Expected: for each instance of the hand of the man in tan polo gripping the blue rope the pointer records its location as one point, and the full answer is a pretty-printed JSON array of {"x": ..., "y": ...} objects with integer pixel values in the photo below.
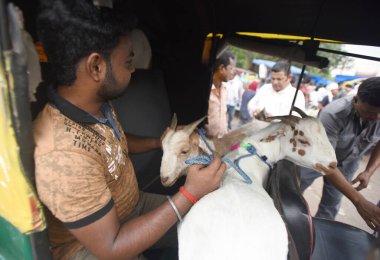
[{"x": 202, "y": 180}]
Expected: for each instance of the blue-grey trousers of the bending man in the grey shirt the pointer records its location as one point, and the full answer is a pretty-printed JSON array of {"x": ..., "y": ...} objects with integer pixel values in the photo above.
[{"x": 331, "y": 197}]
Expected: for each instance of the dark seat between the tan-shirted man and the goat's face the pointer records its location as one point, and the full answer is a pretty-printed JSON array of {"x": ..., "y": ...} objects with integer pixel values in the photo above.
[{"x": 144, "y": 110}]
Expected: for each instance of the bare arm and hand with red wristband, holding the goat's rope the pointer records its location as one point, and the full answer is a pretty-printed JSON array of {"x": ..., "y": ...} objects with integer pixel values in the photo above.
[{"x": 106, "y": 238}]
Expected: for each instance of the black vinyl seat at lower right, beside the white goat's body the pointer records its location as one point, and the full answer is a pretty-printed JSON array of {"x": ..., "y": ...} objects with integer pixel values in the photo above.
[{"x": 313, "y": 238}]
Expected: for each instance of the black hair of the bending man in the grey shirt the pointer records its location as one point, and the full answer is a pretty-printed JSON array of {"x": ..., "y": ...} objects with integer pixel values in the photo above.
[{"x": 369, "y": 91}]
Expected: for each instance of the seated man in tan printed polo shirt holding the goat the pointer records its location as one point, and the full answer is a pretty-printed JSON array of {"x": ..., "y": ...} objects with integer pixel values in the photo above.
[{"x": 84, "y": 176}]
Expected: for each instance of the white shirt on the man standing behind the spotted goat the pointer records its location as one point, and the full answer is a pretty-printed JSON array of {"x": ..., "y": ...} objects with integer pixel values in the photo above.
[{"x": 276, "y": 103}]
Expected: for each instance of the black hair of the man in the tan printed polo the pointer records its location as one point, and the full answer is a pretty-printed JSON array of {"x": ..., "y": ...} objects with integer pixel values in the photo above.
[{"x": 73, "y": 29}]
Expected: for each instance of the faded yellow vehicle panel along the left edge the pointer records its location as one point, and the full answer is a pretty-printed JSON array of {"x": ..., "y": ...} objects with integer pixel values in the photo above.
[{"x": 19, "y": 204}]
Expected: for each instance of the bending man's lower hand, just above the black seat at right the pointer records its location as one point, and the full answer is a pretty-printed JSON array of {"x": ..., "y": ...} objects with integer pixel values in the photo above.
[{"x": 369, "y": 212}]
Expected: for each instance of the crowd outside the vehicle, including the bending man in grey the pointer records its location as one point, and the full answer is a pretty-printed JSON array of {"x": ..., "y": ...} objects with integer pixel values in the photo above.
[{"x": 350, "y": 115}]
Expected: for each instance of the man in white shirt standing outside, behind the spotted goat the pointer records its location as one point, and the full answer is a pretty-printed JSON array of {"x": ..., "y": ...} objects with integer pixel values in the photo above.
[{"x": 276, "y": 98}]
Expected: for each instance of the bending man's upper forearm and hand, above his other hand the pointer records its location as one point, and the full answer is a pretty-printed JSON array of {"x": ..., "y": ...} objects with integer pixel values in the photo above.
[{"x": 372, "y": 166}]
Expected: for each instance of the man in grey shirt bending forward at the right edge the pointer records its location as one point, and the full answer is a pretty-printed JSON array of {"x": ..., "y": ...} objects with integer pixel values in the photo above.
[{"x": 353, "y": 128}]
